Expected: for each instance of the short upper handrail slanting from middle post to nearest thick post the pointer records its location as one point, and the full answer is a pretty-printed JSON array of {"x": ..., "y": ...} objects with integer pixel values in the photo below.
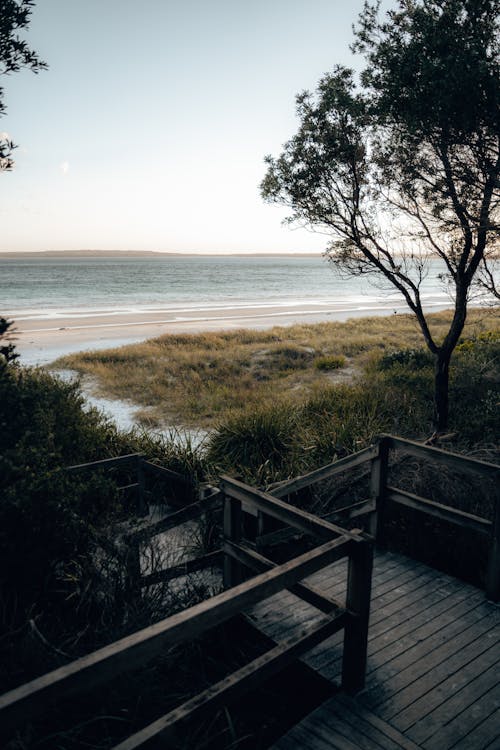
[{"x": 288, "y": 514}]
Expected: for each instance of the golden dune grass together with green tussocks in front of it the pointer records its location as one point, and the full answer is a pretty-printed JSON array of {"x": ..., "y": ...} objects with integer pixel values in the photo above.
[{"x": 299, "y": 396}]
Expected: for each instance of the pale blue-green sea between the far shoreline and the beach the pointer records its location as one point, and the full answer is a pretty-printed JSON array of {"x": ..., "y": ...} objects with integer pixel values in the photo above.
[{"x": 45, "y": 289}]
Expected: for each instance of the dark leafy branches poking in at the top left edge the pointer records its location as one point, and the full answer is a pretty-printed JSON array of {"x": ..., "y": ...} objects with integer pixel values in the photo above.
[{"x": 14, "y": 55}]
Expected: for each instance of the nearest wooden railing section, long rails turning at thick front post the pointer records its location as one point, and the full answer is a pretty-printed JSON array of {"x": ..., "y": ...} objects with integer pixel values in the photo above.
[{"x": 32, "y": 699}]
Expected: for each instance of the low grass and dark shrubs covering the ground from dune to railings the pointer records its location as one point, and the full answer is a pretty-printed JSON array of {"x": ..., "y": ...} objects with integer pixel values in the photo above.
[{"x": 271, "y": 413}]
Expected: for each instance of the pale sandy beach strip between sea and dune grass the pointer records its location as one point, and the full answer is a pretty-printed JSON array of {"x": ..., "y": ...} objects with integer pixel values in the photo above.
[{"x": 40, "y": 342}]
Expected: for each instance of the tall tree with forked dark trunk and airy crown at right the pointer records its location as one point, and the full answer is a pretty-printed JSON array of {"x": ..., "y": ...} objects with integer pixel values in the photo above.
[{"x": 402, "y": 165}]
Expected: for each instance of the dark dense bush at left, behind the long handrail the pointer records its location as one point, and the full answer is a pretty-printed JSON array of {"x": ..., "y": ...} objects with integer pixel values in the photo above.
[{"x": 62, "y": 583}]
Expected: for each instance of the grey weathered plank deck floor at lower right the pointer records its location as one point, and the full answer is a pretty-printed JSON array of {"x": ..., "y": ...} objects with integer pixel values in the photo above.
[{"x": 433, "y": 677}]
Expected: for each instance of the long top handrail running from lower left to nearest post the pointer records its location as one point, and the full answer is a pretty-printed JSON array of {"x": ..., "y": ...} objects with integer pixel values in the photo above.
[{"x": 138, "y": 649}]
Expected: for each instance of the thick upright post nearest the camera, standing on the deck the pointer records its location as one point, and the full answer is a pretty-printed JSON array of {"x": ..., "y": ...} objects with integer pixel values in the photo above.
[{"x": 359, "y": 582}]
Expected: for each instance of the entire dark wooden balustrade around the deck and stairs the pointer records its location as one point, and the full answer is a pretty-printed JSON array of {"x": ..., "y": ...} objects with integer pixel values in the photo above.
[{"x": 30, "y": 700}]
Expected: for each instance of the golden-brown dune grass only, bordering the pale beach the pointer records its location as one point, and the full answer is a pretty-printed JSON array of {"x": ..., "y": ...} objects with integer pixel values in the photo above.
[{"x": 199, "y": 379}]
